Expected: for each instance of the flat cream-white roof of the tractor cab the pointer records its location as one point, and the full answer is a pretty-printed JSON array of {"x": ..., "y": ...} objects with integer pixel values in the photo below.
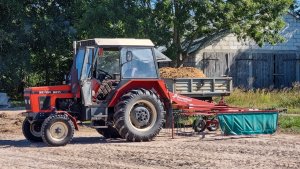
[{"x": 115, "y": 42}]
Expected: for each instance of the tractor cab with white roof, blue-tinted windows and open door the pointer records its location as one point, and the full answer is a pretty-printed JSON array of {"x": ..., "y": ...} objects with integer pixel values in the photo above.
[{"x": 101, "y": 64}]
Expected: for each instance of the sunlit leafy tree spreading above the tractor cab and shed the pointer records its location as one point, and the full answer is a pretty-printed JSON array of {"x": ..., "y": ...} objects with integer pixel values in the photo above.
[{"x": 177, "y": 24}]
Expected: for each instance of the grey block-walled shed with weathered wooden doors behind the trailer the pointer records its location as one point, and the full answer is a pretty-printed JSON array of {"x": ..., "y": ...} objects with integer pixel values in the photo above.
[{"x": 252, "y": 66}]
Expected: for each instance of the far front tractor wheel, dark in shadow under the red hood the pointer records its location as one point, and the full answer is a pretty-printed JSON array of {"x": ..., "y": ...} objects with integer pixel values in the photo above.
[{"x": 32, "y": 131}]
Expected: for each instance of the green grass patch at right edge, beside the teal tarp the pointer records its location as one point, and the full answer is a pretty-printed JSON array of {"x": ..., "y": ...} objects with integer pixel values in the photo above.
[{"x": 289, "y": 124}]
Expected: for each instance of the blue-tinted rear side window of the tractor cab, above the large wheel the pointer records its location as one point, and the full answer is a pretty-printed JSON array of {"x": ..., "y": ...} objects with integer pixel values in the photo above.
[{"x": 140, "y": 63}]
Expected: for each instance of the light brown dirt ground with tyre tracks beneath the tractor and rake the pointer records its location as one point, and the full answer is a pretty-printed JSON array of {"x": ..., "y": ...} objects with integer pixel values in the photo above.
[{"x": 88, "y": 149}]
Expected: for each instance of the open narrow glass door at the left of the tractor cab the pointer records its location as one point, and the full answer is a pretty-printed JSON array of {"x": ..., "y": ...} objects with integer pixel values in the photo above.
[{"x": 85, "y": 76}]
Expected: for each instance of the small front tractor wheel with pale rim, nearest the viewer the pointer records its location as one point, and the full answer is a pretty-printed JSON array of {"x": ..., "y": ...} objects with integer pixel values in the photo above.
[{"x": 57, "y": 130}]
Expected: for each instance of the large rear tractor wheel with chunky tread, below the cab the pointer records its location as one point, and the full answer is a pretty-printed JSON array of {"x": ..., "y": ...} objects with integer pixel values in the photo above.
[{"x": 139, "y": 115}]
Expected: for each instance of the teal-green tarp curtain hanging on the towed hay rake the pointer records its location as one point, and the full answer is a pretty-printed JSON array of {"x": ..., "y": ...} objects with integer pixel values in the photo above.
[{"x": 248, "y": 123}]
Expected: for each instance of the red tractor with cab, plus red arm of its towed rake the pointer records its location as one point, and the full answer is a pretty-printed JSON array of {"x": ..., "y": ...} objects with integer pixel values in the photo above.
[{"x": 114, "y": 84}]
